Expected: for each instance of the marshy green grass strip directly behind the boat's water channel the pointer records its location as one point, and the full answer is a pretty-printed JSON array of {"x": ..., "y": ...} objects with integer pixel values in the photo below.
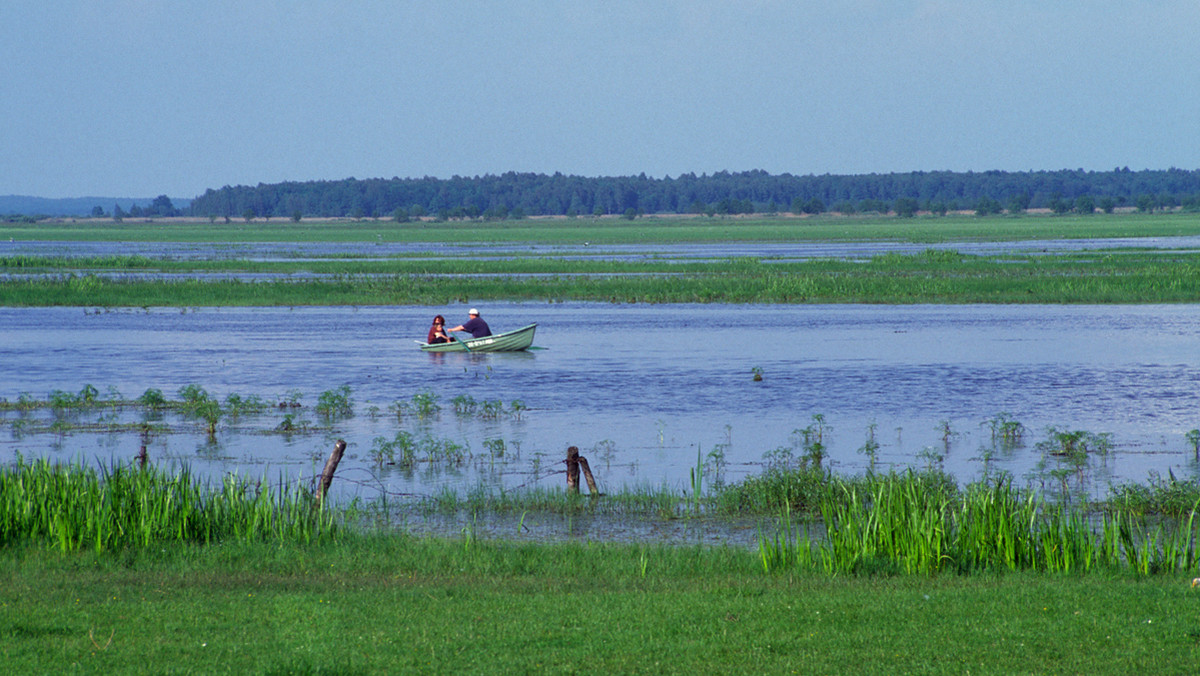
[{"x": 944, "y": 278}]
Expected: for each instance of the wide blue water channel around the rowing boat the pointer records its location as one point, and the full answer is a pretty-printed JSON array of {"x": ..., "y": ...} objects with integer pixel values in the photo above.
[{"x": 641, "y": 390}]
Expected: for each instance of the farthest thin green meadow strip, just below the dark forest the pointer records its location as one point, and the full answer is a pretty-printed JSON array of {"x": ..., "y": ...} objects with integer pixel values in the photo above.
[{"x": 829, "y": 228}]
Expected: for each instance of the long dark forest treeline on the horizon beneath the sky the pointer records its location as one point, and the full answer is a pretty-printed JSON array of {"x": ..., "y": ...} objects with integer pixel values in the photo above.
[{"x": 518, "y": 195}]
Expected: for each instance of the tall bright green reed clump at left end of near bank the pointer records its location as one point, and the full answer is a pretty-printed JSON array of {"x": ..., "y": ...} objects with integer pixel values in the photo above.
[{"x": 75, "y": 509}]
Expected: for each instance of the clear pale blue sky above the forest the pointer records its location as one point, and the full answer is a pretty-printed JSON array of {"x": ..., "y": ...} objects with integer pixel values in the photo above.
[{"x": 146, "y": 98}]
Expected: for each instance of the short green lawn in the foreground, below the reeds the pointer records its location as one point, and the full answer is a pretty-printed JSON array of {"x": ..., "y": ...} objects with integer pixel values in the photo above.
[{"x": 399, "y": 605}]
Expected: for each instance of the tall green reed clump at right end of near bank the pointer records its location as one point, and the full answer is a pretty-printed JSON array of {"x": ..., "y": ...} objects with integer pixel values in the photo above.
[{"x": 904, "y": 524}]
